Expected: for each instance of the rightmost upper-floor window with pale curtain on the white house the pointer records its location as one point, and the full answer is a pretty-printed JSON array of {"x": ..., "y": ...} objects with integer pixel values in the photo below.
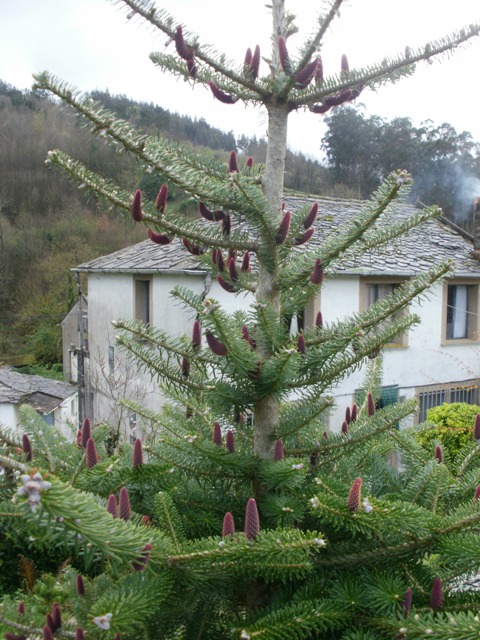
[{"x": 461, "y": 314}]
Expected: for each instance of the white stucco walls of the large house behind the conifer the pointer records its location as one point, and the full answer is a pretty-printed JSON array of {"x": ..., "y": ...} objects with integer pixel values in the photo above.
[{"x": 424, "y": 361}]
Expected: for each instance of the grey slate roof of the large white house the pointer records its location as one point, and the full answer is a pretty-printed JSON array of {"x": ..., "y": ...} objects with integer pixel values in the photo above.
[{"x": 409, "y": 255}]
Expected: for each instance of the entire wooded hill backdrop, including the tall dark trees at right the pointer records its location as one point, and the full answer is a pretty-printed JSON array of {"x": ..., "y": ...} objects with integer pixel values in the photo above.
[{"x": 47, "y": 225}]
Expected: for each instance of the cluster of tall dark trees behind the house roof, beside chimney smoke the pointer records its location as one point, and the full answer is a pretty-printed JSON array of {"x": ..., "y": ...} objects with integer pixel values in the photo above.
[{"x": 362, "y": 150}]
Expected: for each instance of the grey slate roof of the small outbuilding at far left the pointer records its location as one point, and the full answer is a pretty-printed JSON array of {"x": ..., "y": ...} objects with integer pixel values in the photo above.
[{"x": 43, "y": 394}]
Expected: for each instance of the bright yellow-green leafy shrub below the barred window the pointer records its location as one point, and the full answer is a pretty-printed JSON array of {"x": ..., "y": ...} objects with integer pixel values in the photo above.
[{"x": 453, "y": 426}]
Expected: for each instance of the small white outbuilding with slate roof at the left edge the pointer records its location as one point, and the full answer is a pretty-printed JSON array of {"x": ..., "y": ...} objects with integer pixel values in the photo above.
[{"x": 54, "y": 400}]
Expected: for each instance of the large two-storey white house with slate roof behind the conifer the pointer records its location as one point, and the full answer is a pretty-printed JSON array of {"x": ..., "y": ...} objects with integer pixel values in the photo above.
[{"x": 436, "y": 362}]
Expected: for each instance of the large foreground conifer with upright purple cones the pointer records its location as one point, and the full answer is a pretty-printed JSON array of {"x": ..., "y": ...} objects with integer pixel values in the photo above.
[{"x": 244, "y": 519}]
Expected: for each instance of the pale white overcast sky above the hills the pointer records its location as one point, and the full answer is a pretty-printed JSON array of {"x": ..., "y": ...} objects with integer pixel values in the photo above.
[{"x": 92, "y": 45}]
